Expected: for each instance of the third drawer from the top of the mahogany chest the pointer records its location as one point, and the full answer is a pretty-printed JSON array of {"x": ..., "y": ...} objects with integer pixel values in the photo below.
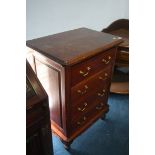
[{"x": 88, "y": 104}]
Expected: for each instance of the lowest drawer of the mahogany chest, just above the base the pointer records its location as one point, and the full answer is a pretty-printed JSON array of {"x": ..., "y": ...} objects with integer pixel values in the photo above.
[{"x": 88, "y": 118}]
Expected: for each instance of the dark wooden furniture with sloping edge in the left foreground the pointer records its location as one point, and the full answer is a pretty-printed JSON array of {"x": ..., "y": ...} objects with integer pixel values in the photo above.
[{"x": 38, "y": 131}]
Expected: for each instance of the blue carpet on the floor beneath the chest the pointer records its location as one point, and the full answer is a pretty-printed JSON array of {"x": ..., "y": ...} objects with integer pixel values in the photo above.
[{"x": 109, "y": 137}]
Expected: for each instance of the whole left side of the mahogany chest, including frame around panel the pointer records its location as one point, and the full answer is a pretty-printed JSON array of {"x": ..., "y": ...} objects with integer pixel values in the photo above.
[{"x": 51, "y": 75}]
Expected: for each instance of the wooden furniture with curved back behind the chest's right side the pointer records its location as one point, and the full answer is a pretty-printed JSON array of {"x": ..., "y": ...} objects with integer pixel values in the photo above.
[{"x": 120, "y": 80}]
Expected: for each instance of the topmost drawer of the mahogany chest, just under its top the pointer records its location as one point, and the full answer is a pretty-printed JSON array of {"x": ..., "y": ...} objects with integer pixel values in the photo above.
[{"x": 91, "y": 66}]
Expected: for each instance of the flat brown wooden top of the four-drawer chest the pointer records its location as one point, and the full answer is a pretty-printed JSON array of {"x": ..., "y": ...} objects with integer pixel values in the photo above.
[{"x": 73, "y": 46}]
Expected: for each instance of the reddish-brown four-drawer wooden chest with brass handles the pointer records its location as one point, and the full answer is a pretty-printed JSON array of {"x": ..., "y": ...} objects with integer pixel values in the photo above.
[{"x": 75, "y": 68}]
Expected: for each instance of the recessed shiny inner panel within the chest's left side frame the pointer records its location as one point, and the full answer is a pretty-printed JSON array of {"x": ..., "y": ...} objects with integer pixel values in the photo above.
[{"x": 50, "y": 78}]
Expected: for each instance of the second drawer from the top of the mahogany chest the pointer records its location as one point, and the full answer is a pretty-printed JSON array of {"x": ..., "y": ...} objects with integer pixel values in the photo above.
[{"x": 85, "y": 89}]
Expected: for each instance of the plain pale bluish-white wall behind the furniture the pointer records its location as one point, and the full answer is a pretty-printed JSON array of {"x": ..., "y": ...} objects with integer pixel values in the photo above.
[{"x": 45, "y": 17}]
